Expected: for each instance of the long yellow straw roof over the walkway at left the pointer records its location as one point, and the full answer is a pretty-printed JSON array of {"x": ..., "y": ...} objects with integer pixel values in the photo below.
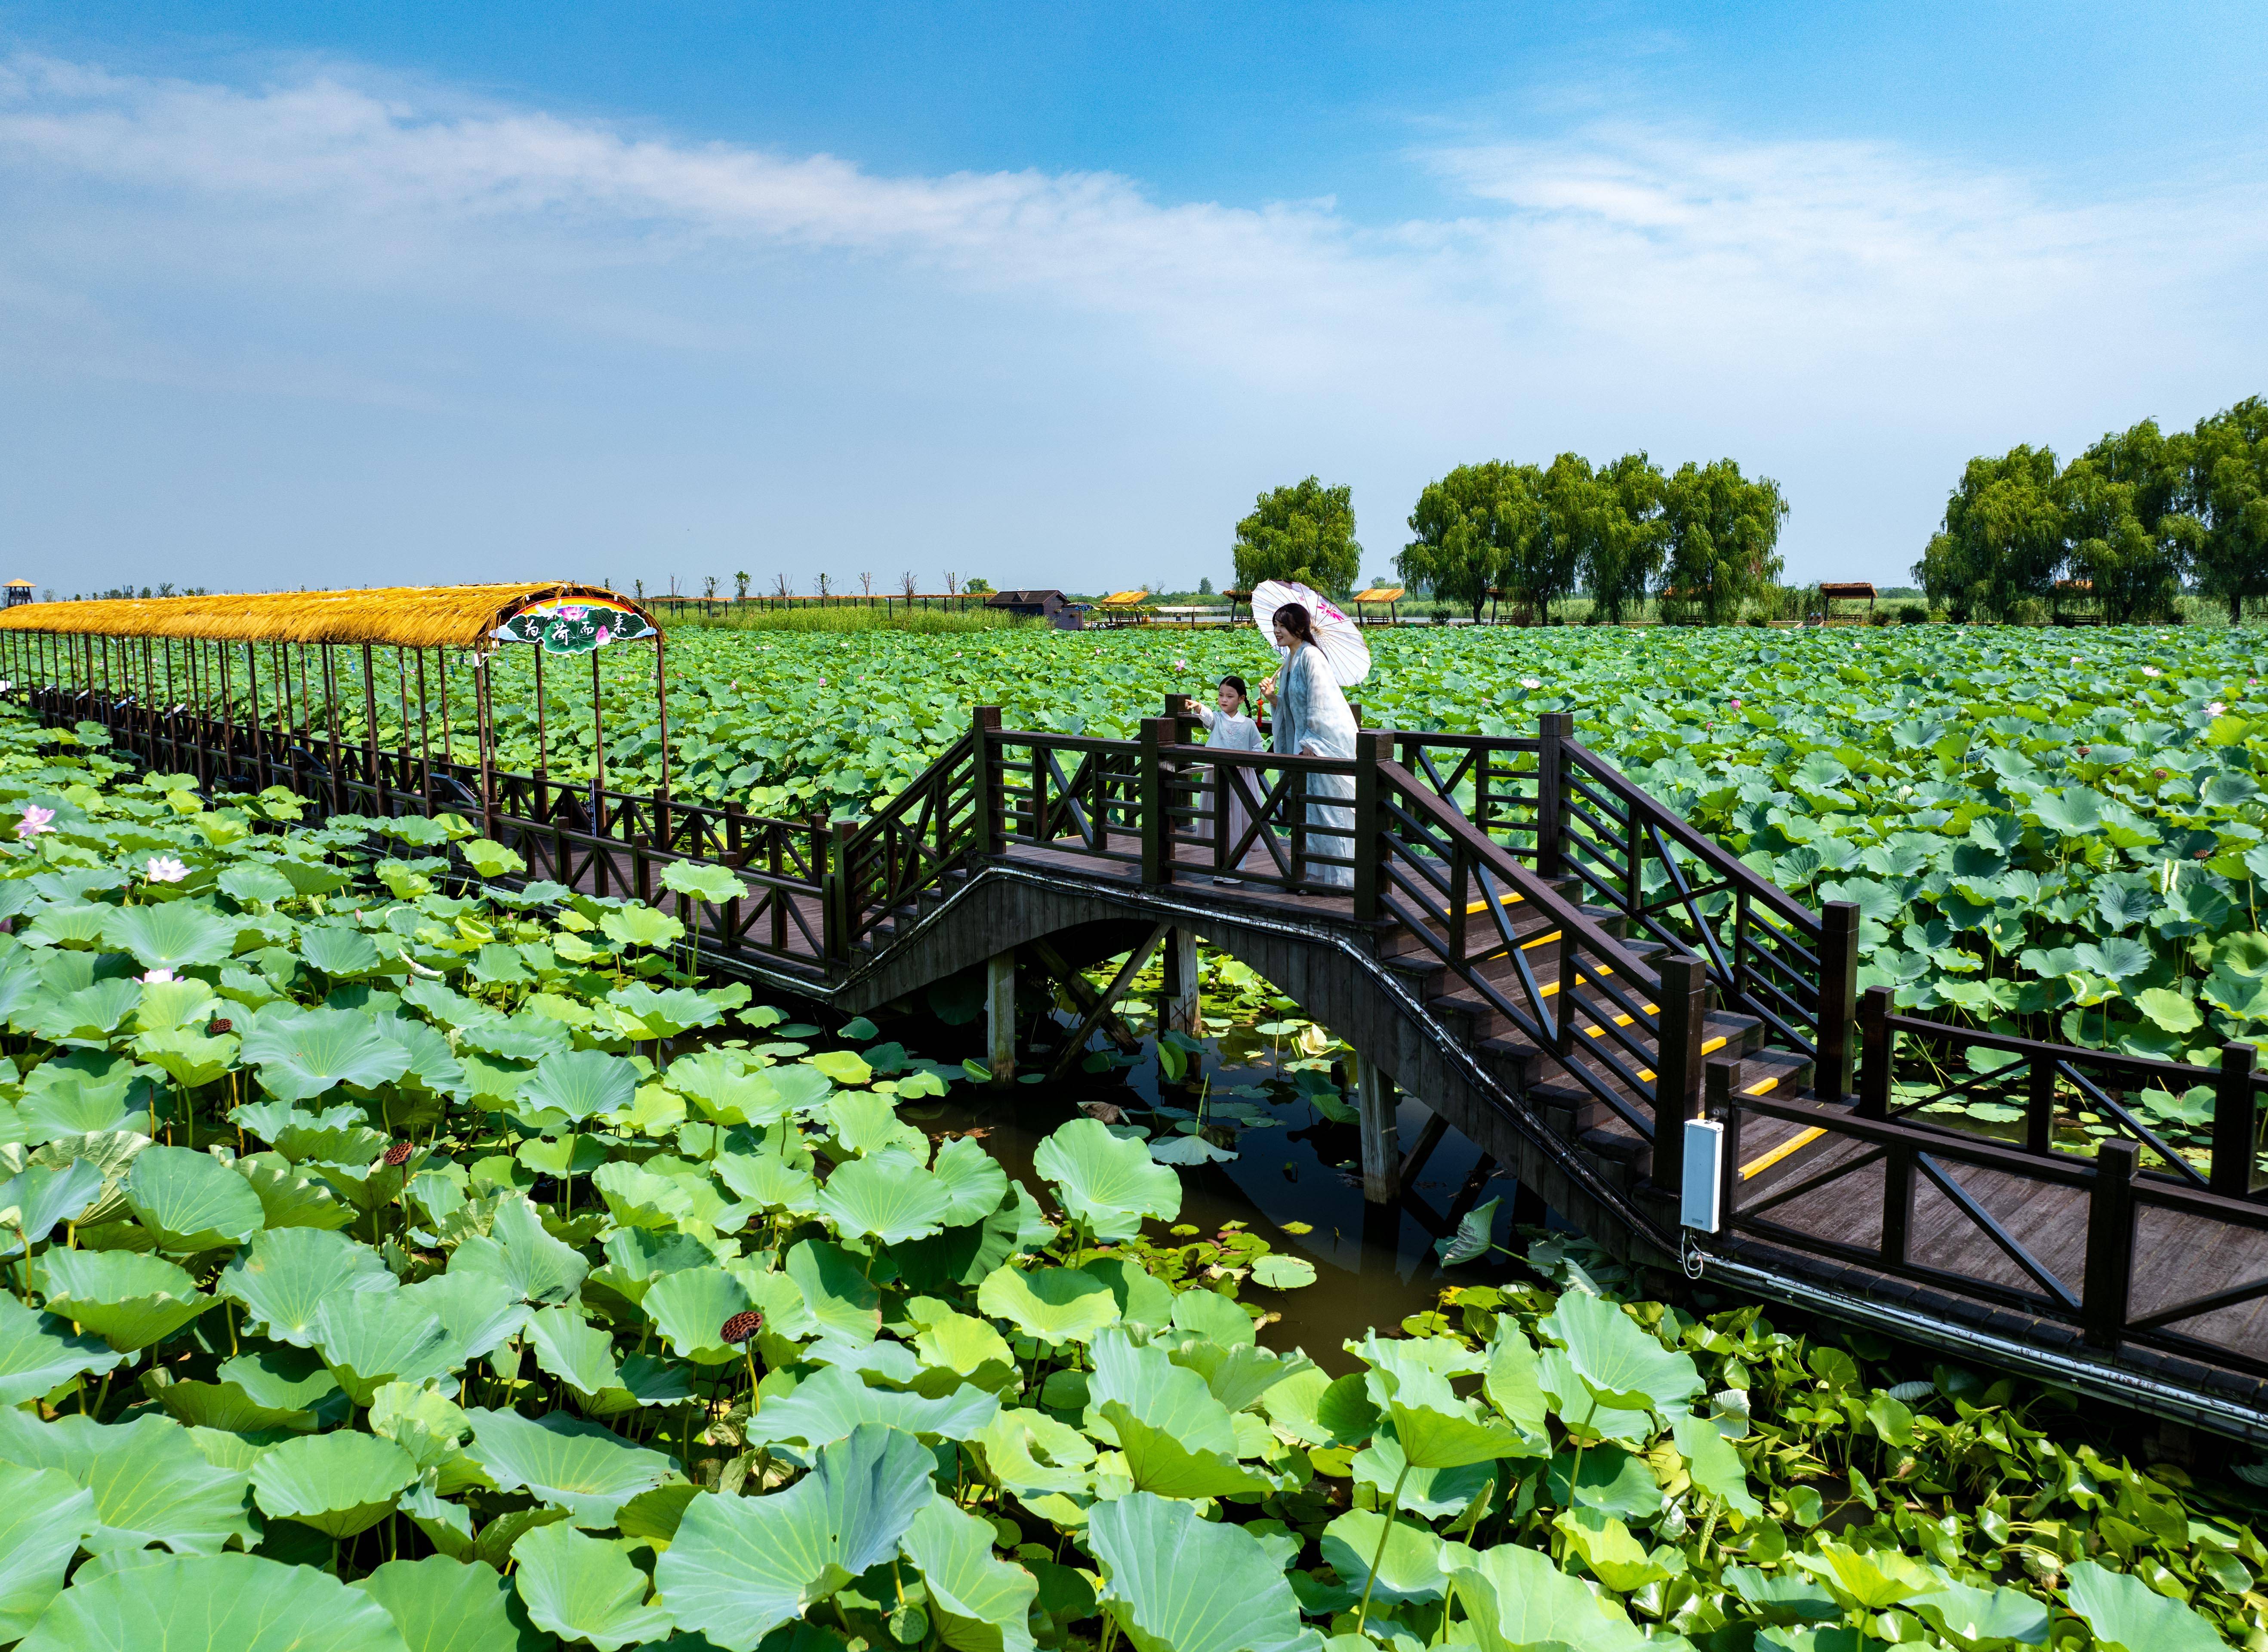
[{"x": 393, "y": 616}]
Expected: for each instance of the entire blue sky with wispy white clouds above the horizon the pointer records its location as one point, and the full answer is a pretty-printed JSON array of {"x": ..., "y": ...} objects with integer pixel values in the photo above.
[{"x": 1047, "y": 294}]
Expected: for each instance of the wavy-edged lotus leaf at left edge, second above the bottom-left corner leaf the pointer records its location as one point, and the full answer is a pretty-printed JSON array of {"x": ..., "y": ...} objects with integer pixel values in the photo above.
[{"x": 149, "y": 1478}]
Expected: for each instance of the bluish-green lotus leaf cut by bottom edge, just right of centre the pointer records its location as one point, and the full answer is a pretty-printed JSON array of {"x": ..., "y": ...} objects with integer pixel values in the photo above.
[{"x": 1178, "y": 1583}]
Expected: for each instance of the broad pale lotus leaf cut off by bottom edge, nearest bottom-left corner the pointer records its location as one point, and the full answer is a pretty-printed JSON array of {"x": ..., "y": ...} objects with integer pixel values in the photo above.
[{"x": 214, "y": 1603}]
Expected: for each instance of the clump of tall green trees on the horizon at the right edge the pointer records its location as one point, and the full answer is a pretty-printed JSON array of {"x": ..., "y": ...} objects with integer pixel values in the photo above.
[{"x": 2129, "y": 525}]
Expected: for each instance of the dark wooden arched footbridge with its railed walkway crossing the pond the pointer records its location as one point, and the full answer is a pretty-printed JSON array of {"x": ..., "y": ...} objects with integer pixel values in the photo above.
[{"x": 1509, "y": 932}]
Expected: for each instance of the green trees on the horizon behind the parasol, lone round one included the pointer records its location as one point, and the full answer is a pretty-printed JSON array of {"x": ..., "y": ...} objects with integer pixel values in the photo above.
[{"x": 1700, "y": 541}]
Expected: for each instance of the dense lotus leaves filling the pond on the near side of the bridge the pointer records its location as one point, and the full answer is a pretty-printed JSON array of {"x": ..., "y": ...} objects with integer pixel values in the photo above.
[{"x": 398, "y": 1265}]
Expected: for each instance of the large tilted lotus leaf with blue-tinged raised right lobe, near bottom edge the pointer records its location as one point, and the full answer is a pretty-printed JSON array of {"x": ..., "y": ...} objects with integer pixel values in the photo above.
[{"x": 743, "y": 1567}]
